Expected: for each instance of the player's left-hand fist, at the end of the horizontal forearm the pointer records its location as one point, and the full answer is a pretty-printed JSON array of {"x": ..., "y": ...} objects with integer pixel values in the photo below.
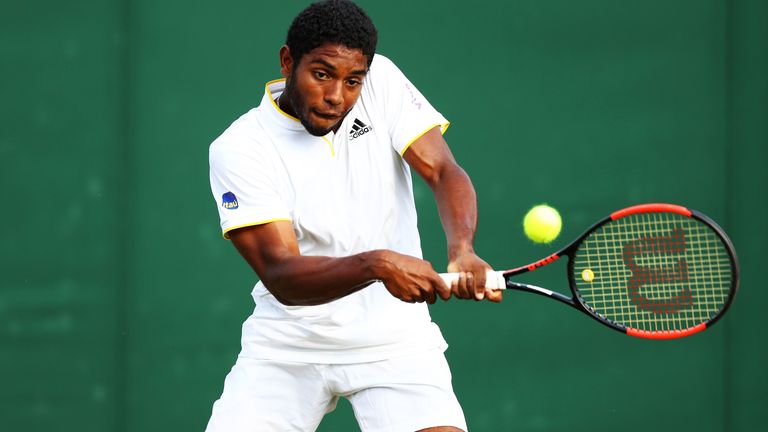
[{"x": 411, "y": 279}]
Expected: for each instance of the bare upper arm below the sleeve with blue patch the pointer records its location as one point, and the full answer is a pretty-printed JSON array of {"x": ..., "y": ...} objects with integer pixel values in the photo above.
[{"x": 265, "y": 246}]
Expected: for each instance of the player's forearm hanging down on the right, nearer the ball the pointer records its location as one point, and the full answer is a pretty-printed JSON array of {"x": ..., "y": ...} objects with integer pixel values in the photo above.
[{"x": 457, "y": 204}]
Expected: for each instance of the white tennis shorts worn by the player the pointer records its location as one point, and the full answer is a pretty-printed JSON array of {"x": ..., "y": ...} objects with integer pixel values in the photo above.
[{"x": 400, "y": 394}]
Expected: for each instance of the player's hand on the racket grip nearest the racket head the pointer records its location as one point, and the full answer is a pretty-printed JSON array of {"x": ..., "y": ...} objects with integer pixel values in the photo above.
[{"x": 471, "y": 282}]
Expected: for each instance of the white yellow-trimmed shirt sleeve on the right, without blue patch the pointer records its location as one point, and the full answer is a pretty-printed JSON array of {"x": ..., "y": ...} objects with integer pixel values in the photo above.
[{"x": 407, "y": 112}]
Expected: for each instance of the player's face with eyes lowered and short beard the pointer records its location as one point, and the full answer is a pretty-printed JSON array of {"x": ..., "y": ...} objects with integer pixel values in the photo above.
[{"x": 322, "y": 88}]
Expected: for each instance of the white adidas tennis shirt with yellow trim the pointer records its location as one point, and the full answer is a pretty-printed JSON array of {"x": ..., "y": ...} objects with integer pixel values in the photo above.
[{"x": 344, "y": 193}]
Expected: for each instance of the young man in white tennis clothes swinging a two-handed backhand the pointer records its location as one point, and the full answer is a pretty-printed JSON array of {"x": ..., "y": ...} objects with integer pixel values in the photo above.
[{"x": 314, "y": 190}]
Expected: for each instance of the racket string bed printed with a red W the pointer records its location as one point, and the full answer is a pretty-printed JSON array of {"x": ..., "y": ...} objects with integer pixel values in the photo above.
[{"x": 654, "y": 272}]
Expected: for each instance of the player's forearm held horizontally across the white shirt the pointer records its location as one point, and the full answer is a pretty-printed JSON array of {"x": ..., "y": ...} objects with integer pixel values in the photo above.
[{"x": 312, "y": 280}]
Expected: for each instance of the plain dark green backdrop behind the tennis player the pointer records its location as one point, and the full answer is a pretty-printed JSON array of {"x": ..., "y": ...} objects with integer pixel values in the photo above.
[{"x": 121, "y": 306}]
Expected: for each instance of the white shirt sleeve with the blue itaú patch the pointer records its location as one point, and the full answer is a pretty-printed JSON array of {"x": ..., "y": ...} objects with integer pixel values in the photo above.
[{"x": 245, "y": 185}]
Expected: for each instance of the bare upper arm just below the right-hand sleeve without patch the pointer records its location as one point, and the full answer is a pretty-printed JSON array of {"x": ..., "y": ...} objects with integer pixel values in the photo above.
[{"x": 429, "y": 156}]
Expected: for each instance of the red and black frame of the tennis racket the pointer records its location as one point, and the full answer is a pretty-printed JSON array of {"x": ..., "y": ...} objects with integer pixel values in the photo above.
[{"x": 576, "y": 301}]
